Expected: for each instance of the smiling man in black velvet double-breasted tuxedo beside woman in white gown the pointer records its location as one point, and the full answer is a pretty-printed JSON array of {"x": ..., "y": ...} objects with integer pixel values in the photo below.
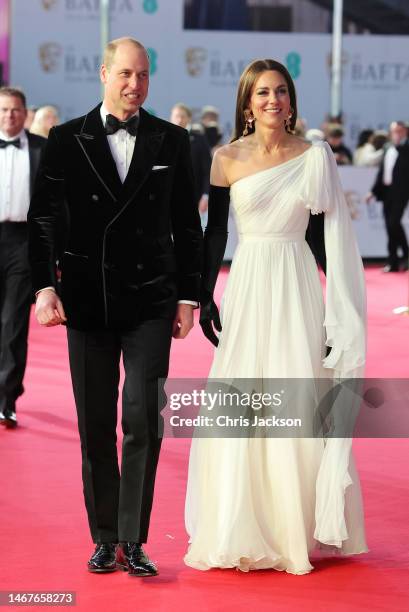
[{"x": 130, "y": 277}]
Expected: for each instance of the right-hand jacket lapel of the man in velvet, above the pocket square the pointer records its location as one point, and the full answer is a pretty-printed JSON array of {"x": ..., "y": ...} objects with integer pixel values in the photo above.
[{"x": 148, "y": 142}]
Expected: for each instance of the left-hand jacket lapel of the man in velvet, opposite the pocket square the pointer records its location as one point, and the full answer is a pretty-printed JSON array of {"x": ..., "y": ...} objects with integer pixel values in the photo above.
[{"x": 94, "y": 145}]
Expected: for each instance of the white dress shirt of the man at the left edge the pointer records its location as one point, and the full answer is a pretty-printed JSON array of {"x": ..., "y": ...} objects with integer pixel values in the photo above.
[{"x": 14, "y": 179}]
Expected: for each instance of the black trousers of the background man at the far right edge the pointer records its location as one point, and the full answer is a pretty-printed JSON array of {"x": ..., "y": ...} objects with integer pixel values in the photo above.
[{"x": 393, "y": 210}]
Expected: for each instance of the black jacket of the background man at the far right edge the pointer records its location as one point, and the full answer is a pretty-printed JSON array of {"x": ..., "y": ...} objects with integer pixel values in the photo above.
[{"x": 399, "y": 189}]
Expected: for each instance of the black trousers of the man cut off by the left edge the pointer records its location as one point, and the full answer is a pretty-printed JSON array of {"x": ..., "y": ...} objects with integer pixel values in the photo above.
[{"x": 15, "y": 302}]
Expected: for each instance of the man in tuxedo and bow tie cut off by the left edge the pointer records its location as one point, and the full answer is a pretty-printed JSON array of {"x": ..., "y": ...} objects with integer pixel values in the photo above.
[{"x": 19, "y": 158}]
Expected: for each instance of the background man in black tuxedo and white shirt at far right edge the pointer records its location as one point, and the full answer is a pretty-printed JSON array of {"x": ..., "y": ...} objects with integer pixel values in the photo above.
[{"x": 392, "y": 188}]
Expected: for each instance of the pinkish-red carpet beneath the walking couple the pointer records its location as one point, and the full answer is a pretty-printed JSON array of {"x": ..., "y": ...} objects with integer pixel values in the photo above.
[{"x": 43, "y": 528}]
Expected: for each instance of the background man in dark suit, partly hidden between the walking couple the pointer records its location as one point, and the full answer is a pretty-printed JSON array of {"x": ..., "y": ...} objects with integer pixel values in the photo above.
[{"x": 201, "y": 158}]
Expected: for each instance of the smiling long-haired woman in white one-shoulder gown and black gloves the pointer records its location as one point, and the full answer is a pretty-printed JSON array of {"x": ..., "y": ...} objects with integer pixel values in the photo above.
[{"x": 268, "y": 502}]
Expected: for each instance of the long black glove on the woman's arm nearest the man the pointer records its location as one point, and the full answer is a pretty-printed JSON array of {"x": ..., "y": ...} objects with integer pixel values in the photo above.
[{"x": 215, "y": 239}]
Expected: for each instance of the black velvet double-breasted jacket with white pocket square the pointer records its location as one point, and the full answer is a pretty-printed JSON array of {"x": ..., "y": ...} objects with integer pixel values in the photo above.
[{"x": 130, "y": 250}]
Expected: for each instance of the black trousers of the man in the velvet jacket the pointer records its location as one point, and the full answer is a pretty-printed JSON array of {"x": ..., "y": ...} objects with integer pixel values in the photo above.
[{"x": 119, "y": 503}]
